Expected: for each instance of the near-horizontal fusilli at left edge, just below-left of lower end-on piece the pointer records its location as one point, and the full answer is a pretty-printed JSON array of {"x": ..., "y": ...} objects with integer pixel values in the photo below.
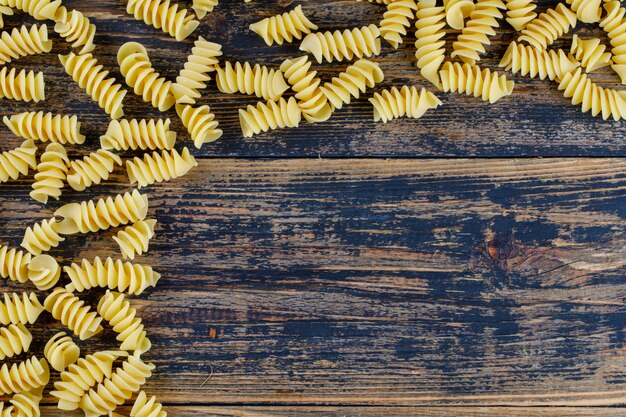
[{"x": 24, "y": 376}]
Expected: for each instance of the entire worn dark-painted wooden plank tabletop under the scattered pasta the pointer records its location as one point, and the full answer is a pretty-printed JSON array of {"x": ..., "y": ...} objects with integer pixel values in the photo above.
[{"x": 470, "y": 263}]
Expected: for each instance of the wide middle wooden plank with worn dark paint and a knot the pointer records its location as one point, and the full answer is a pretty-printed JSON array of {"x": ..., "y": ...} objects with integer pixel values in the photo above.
[{"x": 377, "y": 282}]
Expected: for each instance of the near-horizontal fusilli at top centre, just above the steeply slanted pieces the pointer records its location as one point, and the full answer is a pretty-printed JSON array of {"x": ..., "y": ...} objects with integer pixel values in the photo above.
[{"x": 337, "y": 45}]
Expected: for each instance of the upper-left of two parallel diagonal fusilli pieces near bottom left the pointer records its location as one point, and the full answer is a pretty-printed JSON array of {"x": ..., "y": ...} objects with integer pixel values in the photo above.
[{"x": 82, "y": 375}]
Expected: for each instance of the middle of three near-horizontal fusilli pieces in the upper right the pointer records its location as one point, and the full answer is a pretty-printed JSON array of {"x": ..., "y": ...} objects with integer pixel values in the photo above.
[{"x": 533, "y": 62}]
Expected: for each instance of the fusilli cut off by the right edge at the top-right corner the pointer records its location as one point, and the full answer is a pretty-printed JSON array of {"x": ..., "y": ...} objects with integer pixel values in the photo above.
[{"x": 614, "y": 24}]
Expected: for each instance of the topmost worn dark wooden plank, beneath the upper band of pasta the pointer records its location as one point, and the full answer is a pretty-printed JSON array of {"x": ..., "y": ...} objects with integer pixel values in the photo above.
[{"x": 537, "y": 120}]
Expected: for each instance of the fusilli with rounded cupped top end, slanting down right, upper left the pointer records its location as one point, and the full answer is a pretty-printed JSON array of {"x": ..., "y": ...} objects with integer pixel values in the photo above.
[{"x": 137, "y": 69}]
